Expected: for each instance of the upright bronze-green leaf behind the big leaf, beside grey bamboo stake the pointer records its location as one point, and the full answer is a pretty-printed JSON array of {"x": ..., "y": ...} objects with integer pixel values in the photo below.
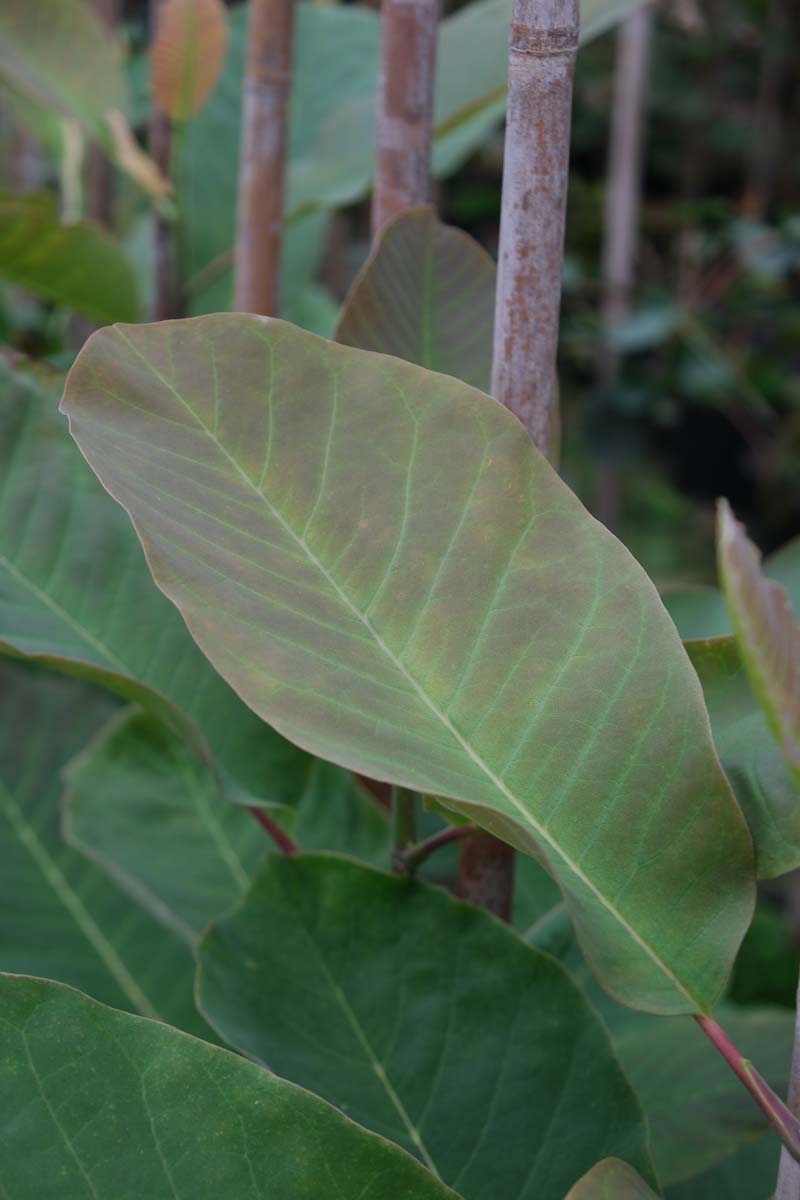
[{"x": 426, "y": 295}]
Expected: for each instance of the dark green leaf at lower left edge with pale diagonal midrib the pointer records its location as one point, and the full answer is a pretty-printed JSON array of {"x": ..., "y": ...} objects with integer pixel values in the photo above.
[{"x": 59, "y": 916}]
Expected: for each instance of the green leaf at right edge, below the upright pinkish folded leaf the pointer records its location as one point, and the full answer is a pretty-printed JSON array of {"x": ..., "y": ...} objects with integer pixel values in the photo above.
[{"x": 751, "y": 758}]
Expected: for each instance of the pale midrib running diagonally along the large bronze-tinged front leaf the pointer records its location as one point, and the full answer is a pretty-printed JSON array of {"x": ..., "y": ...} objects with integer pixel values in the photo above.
[{"x": 528, "y": 820}]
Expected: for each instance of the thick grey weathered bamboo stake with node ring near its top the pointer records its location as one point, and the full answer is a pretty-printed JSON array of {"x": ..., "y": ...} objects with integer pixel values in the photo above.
[{"x": 544, "y": 47}]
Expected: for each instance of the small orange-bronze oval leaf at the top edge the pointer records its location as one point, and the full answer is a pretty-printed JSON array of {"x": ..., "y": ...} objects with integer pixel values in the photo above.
[{"x": 188, "y": 55}]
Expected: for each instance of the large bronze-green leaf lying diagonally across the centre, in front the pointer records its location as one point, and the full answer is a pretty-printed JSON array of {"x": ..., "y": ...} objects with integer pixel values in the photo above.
[{"x": 384, "y": 567}]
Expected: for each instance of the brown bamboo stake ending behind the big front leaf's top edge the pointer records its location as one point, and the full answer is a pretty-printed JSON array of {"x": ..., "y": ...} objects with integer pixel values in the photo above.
[{"x": 268, "y": 83}]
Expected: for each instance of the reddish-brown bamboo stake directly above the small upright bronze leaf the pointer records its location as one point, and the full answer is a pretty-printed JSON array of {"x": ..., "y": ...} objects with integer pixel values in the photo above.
[{"x": 406, "y": 107}]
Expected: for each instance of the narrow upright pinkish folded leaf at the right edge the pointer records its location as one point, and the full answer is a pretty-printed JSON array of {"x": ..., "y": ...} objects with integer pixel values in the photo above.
[{"x": 767, "y": 631}]
